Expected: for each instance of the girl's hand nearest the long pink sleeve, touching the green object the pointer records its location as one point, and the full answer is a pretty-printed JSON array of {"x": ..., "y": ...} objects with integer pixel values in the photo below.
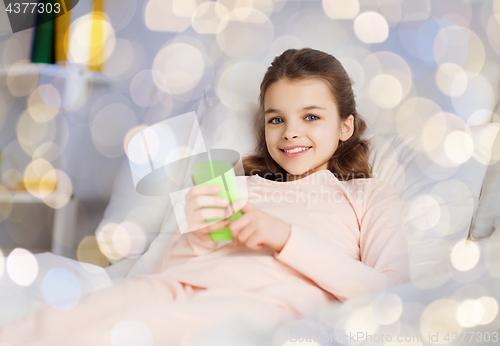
[{"x": 256, "y": 228}]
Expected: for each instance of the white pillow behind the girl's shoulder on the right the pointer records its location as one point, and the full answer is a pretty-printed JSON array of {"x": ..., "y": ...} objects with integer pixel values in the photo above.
[{"x": 439, "y": 194}]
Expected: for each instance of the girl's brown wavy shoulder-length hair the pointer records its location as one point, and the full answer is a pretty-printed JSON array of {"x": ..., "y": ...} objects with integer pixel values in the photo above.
[{"x": 350, "y": 160}]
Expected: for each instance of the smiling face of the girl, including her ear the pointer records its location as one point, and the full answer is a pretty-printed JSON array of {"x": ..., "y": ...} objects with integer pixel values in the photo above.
[{"x": 303, "y": 126}]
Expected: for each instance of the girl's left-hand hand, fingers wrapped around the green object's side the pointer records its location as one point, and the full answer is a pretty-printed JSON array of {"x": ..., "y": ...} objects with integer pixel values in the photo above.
[{"x": 196, "y": 216}]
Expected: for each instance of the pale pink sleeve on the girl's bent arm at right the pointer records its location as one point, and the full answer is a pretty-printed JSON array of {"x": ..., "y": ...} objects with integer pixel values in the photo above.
[{"x": 383, "y": 251}]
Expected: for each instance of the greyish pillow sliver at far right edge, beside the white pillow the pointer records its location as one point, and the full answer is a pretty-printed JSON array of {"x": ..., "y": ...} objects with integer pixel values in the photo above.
[{"x": 488, "y": 210}]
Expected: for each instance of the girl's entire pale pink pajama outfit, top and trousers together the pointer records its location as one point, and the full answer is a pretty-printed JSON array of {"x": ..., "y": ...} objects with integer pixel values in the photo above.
[{"x": 347, "y": 239}]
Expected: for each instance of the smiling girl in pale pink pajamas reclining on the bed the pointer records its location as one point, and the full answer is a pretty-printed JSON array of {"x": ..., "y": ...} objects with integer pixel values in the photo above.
[{"x": 317, "y": 229}]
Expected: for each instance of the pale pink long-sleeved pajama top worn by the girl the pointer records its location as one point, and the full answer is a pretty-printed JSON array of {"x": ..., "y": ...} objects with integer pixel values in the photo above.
[{"x": 347, "y": 239}]
